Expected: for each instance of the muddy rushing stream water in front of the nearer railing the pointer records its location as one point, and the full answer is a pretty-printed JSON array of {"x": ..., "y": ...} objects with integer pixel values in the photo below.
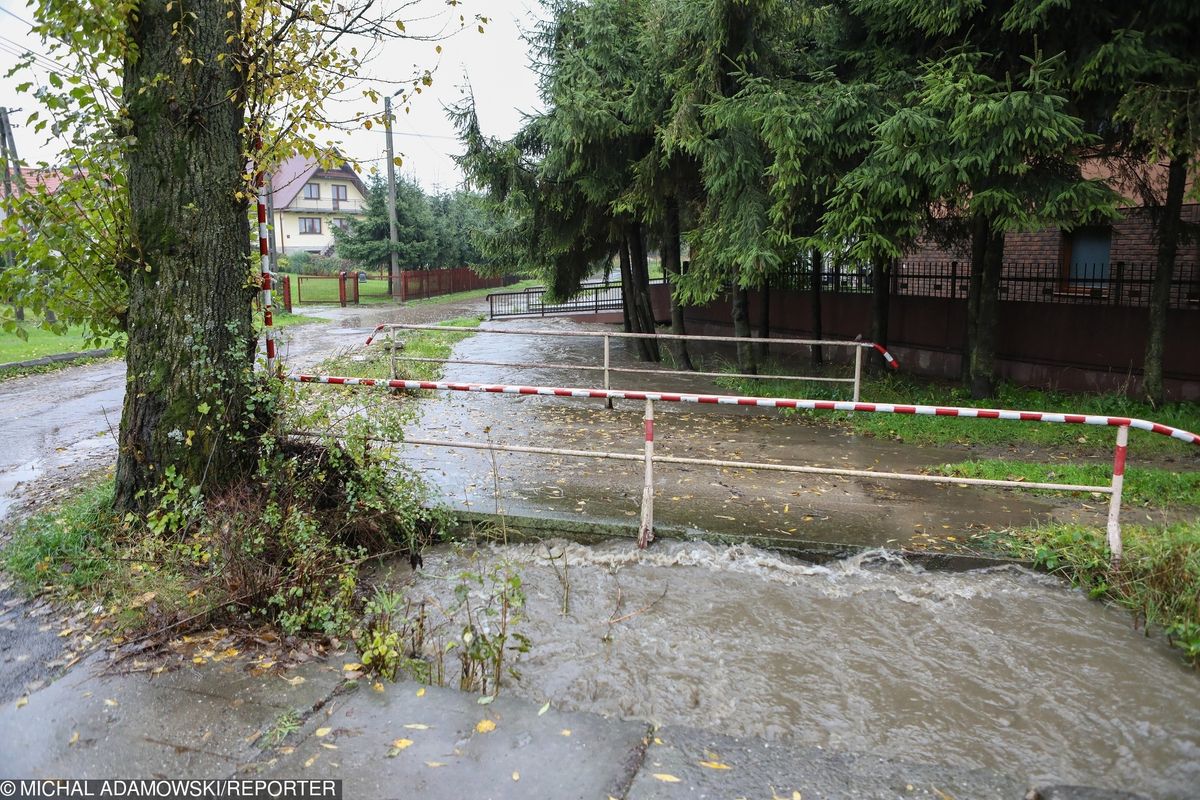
[{"x": 1004, "y": 670}]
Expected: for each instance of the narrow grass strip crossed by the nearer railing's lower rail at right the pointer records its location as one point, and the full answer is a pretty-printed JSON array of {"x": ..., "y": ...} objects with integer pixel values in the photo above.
[{"x": 1147, "y": 486}]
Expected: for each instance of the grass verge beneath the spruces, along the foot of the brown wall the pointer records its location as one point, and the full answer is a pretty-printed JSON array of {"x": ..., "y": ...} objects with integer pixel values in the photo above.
[{"x": 955, "y": 431}]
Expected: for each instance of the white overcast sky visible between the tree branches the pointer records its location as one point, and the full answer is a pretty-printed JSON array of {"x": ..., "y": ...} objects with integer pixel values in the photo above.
[{"x": 495, "y": 63}]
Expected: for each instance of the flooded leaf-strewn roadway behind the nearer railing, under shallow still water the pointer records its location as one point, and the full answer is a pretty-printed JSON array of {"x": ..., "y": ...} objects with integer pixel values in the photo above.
[{"x": 722, "y": 500}]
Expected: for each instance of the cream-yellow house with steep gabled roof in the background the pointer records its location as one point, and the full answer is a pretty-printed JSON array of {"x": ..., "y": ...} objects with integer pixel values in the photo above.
[{"x": 310, "y": 201}]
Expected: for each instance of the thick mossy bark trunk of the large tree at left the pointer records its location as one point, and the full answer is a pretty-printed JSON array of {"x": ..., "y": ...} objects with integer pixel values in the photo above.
[{"x": 190, "y": 336}]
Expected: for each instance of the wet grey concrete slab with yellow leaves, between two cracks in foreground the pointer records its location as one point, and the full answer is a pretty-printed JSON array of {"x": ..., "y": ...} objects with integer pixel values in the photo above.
[{"x": 410, "y": 742}]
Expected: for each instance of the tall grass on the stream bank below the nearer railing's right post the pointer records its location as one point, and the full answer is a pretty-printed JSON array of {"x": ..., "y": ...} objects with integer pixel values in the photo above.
[{"x": 1159, "y": 579}]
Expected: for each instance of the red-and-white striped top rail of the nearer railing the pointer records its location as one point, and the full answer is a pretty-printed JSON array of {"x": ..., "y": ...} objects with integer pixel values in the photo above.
[{"x": 764, "y": 402}]
